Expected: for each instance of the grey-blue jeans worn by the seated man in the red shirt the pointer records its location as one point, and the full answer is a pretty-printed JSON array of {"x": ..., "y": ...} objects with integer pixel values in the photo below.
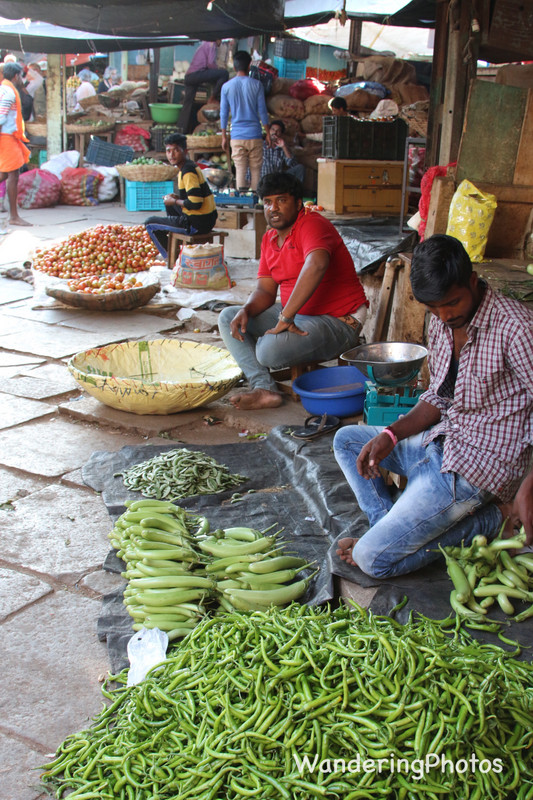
[{"x": 259, "y": 353}]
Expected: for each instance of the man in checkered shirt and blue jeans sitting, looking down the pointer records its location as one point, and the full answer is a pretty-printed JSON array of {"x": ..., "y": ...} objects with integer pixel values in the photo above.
[{"x": 466, "y": 447}]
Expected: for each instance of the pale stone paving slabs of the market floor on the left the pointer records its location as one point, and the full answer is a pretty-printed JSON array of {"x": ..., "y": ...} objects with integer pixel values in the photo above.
[{"x": 54, "y": 529}]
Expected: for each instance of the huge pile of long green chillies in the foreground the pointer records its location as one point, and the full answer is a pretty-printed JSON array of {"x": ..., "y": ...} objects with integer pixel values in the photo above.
[{"x": 306, "y": 702}]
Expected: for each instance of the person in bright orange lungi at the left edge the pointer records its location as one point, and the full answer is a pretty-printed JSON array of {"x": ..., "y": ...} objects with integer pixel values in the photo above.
[{"x": 13, "y": 151}]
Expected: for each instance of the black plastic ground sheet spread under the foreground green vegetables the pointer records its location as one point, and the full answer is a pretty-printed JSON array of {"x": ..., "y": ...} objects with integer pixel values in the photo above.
[{"x": 298, "y": 485}]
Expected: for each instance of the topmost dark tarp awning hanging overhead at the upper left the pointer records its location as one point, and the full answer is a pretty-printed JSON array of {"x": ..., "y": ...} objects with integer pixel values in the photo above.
[{"x": 155, "y": 18}]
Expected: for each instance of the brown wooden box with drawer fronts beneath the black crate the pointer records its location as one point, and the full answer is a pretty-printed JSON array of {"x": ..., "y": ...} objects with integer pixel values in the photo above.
[{"x": 346, "y": 186}]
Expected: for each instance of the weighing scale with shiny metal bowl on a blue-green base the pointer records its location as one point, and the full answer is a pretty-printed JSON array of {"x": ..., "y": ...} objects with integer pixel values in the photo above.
[{"x": 393, "y": 388}]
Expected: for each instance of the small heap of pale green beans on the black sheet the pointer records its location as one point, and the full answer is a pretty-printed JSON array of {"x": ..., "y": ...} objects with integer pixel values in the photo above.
[{"x": 179, "y": 473}]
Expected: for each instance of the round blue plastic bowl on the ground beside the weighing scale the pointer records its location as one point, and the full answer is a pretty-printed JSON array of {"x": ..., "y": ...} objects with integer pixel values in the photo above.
[{"x": 332, "y": 390}]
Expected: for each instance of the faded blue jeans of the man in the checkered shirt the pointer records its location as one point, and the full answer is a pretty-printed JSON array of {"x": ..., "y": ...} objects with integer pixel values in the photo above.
[{"x": 435, "y": 507}]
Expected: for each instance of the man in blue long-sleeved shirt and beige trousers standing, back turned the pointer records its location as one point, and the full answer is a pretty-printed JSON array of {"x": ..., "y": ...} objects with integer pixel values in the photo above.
[{"x": 244, "y": 98}]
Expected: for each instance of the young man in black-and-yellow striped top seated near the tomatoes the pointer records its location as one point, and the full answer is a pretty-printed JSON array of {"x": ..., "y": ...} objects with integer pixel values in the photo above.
[{"x": 192, "y": 210}]
